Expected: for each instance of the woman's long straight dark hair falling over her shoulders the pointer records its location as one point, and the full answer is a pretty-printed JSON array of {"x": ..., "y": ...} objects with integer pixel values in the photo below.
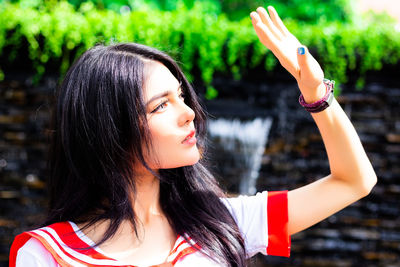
[{"x": 99, "y": 128}]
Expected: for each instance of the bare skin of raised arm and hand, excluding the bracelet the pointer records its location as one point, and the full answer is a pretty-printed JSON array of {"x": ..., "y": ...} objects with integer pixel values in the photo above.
[{"x": 352, "y": 176}]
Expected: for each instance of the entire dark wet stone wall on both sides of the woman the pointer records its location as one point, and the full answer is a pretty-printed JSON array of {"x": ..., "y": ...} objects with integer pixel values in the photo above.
[{"x": 365, "y": 234}]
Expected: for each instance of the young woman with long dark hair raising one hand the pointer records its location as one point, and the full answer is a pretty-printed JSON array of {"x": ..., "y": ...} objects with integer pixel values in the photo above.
[{"x": 127, "y": 184}]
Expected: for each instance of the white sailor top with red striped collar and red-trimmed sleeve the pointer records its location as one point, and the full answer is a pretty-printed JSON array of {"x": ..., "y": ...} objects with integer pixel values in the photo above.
[{"x": 262, "y": 220}]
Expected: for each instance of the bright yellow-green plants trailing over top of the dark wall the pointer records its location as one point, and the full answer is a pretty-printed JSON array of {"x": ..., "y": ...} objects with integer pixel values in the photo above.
[{"x": 200, "y": 41}]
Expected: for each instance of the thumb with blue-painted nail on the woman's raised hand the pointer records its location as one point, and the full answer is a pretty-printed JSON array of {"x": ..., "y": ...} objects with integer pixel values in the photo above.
[{"x": 310, "y": 70}]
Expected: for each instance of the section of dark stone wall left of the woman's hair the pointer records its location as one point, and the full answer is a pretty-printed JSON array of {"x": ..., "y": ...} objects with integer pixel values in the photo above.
[{"x": 24, "y": 118}]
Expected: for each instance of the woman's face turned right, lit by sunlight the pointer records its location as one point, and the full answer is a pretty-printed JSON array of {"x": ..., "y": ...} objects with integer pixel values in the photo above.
[{"x": 170, "y": 121}]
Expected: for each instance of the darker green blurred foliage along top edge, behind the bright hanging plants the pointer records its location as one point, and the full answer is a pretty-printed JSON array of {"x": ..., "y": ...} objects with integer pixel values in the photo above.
[{"x": 309, "y": 11}]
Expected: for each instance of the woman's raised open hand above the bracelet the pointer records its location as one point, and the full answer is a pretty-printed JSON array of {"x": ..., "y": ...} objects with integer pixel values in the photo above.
[{"x": 292, "y": 55}]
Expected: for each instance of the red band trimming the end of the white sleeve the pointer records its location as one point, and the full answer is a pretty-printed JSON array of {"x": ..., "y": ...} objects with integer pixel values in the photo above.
[{"x": 278, "y": 236}]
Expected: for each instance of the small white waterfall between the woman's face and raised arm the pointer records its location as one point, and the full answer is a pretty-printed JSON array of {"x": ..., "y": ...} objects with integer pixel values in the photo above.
[{"x": 240, "y": 146}]
